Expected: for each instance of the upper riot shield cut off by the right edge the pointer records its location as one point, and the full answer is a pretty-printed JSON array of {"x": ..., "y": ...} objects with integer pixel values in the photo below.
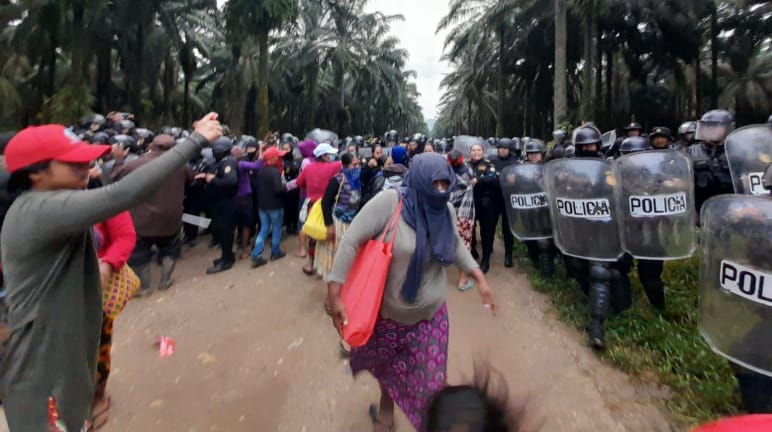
[{"x": 749, "y": 151}]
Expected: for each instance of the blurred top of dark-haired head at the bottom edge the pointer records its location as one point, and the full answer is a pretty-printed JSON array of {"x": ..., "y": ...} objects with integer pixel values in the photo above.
[{"x": 482, "y": 406}]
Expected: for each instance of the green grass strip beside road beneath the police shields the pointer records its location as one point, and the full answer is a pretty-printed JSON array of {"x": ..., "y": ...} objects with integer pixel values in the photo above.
[{"x": 645, "y": 343}]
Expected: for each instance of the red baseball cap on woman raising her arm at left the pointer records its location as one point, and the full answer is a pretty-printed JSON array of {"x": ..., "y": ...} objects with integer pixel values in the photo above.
[{"x": 49, "y": 142}]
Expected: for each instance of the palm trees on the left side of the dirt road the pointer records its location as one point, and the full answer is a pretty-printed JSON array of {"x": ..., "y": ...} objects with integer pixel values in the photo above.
[{"x": 284, "y": 64}]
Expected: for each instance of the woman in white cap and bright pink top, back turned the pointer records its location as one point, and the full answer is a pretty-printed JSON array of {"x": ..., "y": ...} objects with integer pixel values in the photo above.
[{"x": 314, "y": 180}]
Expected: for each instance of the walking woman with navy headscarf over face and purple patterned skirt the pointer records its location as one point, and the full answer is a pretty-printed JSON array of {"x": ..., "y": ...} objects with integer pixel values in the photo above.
[{"x": 408, "y": 350}]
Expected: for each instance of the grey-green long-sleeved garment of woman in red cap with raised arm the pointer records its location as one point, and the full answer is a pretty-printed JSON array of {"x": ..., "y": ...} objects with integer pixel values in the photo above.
[{"x": 54, "y": 293}]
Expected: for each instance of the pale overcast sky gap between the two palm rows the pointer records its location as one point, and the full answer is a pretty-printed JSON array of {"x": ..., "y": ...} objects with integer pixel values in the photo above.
[{"x": 417, "y": 35}]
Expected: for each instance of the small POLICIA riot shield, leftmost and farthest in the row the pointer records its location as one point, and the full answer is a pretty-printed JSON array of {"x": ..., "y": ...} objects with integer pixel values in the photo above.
[{"x": 526, "y": 202}]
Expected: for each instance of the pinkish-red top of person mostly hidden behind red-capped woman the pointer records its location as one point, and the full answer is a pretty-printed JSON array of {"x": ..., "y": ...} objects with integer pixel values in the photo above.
[{"x": 118, "y": 239}]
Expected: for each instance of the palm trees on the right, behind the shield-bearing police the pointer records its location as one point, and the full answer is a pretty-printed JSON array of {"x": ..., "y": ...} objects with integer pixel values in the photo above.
[{"x": 662, "y": 62}]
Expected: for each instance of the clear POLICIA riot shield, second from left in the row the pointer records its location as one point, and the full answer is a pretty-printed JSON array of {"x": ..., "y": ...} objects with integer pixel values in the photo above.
[{"x": 581, "y": 198}]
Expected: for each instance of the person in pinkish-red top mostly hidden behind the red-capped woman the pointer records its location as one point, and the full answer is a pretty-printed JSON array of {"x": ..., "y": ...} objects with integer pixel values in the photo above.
[{"x": 115, "y": 239}]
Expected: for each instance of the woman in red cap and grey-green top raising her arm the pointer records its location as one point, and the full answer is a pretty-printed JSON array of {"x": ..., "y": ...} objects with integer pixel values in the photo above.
[{"x": 54, "y": 292}]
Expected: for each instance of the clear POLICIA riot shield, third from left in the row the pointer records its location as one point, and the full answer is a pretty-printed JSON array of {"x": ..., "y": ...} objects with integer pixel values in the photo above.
[{"x": 655, "y": 203}]
